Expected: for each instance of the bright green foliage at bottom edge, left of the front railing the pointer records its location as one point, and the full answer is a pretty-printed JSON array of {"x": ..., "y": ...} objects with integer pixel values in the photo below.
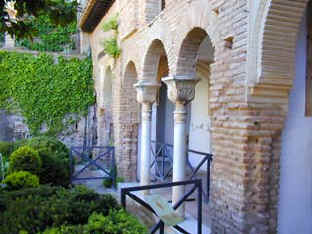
[{"x": 117, "y": 222}]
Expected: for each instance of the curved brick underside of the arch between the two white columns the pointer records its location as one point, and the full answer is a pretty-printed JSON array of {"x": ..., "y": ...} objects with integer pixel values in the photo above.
[{"x": 155, "y": 51}]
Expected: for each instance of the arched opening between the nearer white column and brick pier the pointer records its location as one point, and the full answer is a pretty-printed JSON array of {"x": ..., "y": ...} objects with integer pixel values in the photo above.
[{"x": 195, "y": 57}]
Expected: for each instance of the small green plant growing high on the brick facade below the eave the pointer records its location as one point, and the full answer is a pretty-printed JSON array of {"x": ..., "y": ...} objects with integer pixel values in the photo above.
[{"x": 111, "y": 44}]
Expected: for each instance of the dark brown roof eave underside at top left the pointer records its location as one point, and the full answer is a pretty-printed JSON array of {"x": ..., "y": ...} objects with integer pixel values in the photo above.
[{"x": 93, "y": 13}]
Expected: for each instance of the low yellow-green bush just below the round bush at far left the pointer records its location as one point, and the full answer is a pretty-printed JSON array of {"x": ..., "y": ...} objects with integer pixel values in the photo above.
[{"x": 20, "y": 180}]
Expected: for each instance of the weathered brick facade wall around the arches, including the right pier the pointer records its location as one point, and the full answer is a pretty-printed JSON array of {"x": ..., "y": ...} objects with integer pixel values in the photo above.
[{"x": 245, "y": 131}]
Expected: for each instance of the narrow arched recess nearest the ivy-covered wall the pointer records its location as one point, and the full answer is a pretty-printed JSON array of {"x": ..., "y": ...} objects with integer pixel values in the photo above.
[{"x": 104, "y": 108}]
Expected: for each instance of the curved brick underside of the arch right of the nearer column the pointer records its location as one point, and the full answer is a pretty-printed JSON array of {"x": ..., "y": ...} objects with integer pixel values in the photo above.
[{"x": 188, "y": 53}]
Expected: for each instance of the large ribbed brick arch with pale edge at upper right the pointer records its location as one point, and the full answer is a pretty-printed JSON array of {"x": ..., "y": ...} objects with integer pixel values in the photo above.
[{"x": 271, "y": 62}]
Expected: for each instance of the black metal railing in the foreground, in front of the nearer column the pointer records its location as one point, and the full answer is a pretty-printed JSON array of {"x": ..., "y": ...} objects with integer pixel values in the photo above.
[{"x": 197, "y": 185}]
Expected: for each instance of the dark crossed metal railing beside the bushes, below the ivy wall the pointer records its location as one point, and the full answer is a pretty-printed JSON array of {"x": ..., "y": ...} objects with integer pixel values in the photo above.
[{"x": 99, "y": 157}]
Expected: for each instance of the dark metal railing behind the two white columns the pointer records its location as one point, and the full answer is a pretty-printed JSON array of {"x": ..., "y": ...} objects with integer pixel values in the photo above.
[{"x": 162, "y": 164}]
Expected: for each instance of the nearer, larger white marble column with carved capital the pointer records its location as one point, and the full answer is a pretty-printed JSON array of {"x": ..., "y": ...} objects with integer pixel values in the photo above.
[{"x": 181, "y": 91}]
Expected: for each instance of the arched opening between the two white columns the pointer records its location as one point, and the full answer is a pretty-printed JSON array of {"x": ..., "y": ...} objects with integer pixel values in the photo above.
[{"x": 155, "y": 68}]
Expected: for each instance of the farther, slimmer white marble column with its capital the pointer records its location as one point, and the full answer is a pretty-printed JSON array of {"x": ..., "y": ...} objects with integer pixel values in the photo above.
[{"x": 146, "y": 95}]
